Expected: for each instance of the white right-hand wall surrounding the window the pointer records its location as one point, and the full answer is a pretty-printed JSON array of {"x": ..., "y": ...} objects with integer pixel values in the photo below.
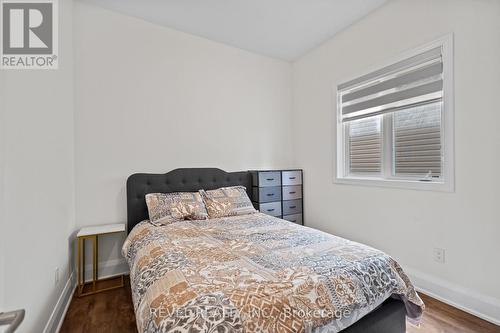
[{"x": 408, "y": 224}]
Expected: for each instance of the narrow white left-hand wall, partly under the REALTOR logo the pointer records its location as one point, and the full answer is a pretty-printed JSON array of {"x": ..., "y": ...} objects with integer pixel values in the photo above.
[{"x": 38, "y": 182}]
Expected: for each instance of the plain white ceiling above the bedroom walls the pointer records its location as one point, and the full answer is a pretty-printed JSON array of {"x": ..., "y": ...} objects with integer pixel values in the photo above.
[{"x": 284, "y": 29}]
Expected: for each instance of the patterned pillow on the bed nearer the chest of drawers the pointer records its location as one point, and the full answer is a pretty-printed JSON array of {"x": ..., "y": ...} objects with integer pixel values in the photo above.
[{"x": 227, "y": 201}]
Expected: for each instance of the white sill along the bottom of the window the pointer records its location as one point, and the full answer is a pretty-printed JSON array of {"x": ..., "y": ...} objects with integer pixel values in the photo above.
[{"x": 396, "y": 183}]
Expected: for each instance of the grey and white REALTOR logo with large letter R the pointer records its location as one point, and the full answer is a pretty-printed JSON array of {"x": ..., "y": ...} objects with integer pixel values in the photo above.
[{"x": 29, "y": 34}]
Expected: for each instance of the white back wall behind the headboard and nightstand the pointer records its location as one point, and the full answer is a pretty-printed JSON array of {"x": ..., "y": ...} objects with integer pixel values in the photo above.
[{"x": 151, "y": 99}]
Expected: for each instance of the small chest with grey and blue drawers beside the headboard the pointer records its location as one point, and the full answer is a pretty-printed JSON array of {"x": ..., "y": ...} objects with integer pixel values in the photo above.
[{"x": 279, "y": 193}]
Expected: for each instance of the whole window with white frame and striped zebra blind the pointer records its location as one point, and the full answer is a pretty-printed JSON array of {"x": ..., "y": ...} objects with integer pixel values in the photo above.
[{"x": 395, "y": 125}]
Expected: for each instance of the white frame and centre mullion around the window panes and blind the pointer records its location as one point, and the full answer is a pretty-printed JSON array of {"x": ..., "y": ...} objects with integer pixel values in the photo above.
[{"x": 446, "y": 183}]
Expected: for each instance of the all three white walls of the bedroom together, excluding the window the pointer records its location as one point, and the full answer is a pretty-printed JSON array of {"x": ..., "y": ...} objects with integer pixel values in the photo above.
[{"x": 139, "y": 88}]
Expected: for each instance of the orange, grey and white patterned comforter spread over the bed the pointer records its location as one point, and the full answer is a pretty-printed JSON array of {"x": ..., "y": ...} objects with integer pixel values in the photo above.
[{"x": 256, "y": 273}]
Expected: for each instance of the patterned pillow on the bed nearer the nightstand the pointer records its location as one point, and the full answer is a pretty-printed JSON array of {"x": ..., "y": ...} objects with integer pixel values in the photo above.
[{"x": 165, "y": 208}]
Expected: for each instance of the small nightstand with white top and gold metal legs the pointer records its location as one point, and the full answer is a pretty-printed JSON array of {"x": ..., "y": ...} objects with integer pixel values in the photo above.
[{"x": 96, "y": 285}]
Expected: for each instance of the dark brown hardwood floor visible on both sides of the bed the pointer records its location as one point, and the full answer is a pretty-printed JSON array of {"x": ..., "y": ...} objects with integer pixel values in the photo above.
[{"x": 112, "y": 312}]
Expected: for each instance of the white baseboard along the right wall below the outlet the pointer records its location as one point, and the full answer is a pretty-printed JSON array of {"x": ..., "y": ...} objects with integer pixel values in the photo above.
[{"x": 482, "y": 306}]
